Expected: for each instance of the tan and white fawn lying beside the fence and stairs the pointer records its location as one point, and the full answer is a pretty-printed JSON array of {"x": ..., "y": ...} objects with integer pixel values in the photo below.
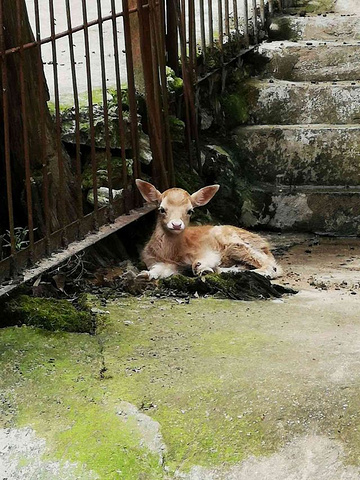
[{"x": 207, "y": 249}]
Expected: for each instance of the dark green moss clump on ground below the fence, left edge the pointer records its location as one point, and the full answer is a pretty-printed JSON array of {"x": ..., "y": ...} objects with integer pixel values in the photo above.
[{"x": 50, "y": 314}]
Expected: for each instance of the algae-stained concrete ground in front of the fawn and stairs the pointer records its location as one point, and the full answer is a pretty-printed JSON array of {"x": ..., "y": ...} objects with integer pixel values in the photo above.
[{"x": 206, "y": 389}]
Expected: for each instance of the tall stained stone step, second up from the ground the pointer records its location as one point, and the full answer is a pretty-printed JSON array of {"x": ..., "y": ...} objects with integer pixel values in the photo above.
[{"x": 300, "y": 154}]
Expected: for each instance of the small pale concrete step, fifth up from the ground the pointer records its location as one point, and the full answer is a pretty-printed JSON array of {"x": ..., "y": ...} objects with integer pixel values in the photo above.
[{"x": 318, "y": 27}]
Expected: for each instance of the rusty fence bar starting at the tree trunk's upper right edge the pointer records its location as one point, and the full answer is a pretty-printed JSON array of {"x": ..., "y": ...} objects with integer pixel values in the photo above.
[{"x": 45, "y": 172}]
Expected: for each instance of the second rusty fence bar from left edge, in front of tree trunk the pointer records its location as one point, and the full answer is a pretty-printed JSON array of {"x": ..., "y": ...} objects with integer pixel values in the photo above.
[{"x": 19, "y": 6}]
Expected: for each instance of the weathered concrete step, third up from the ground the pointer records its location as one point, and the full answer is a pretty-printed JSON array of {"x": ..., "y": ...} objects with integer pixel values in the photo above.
[{"x": 287, "y": 103}]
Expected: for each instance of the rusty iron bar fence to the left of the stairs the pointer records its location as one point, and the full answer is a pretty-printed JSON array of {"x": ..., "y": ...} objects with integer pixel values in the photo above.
[{"x": 52, "y": 52}]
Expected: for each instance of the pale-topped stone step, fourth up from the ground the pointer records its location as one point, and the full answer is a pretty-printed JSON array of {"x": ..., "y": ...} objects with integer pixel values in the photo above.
[{"x": 307, "y": 61}]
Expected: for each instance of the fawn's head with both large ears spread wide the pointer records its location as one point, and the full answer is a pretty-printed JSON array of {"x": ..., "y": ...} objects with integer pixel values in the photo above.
[{"x": 175, "y": 205}]
